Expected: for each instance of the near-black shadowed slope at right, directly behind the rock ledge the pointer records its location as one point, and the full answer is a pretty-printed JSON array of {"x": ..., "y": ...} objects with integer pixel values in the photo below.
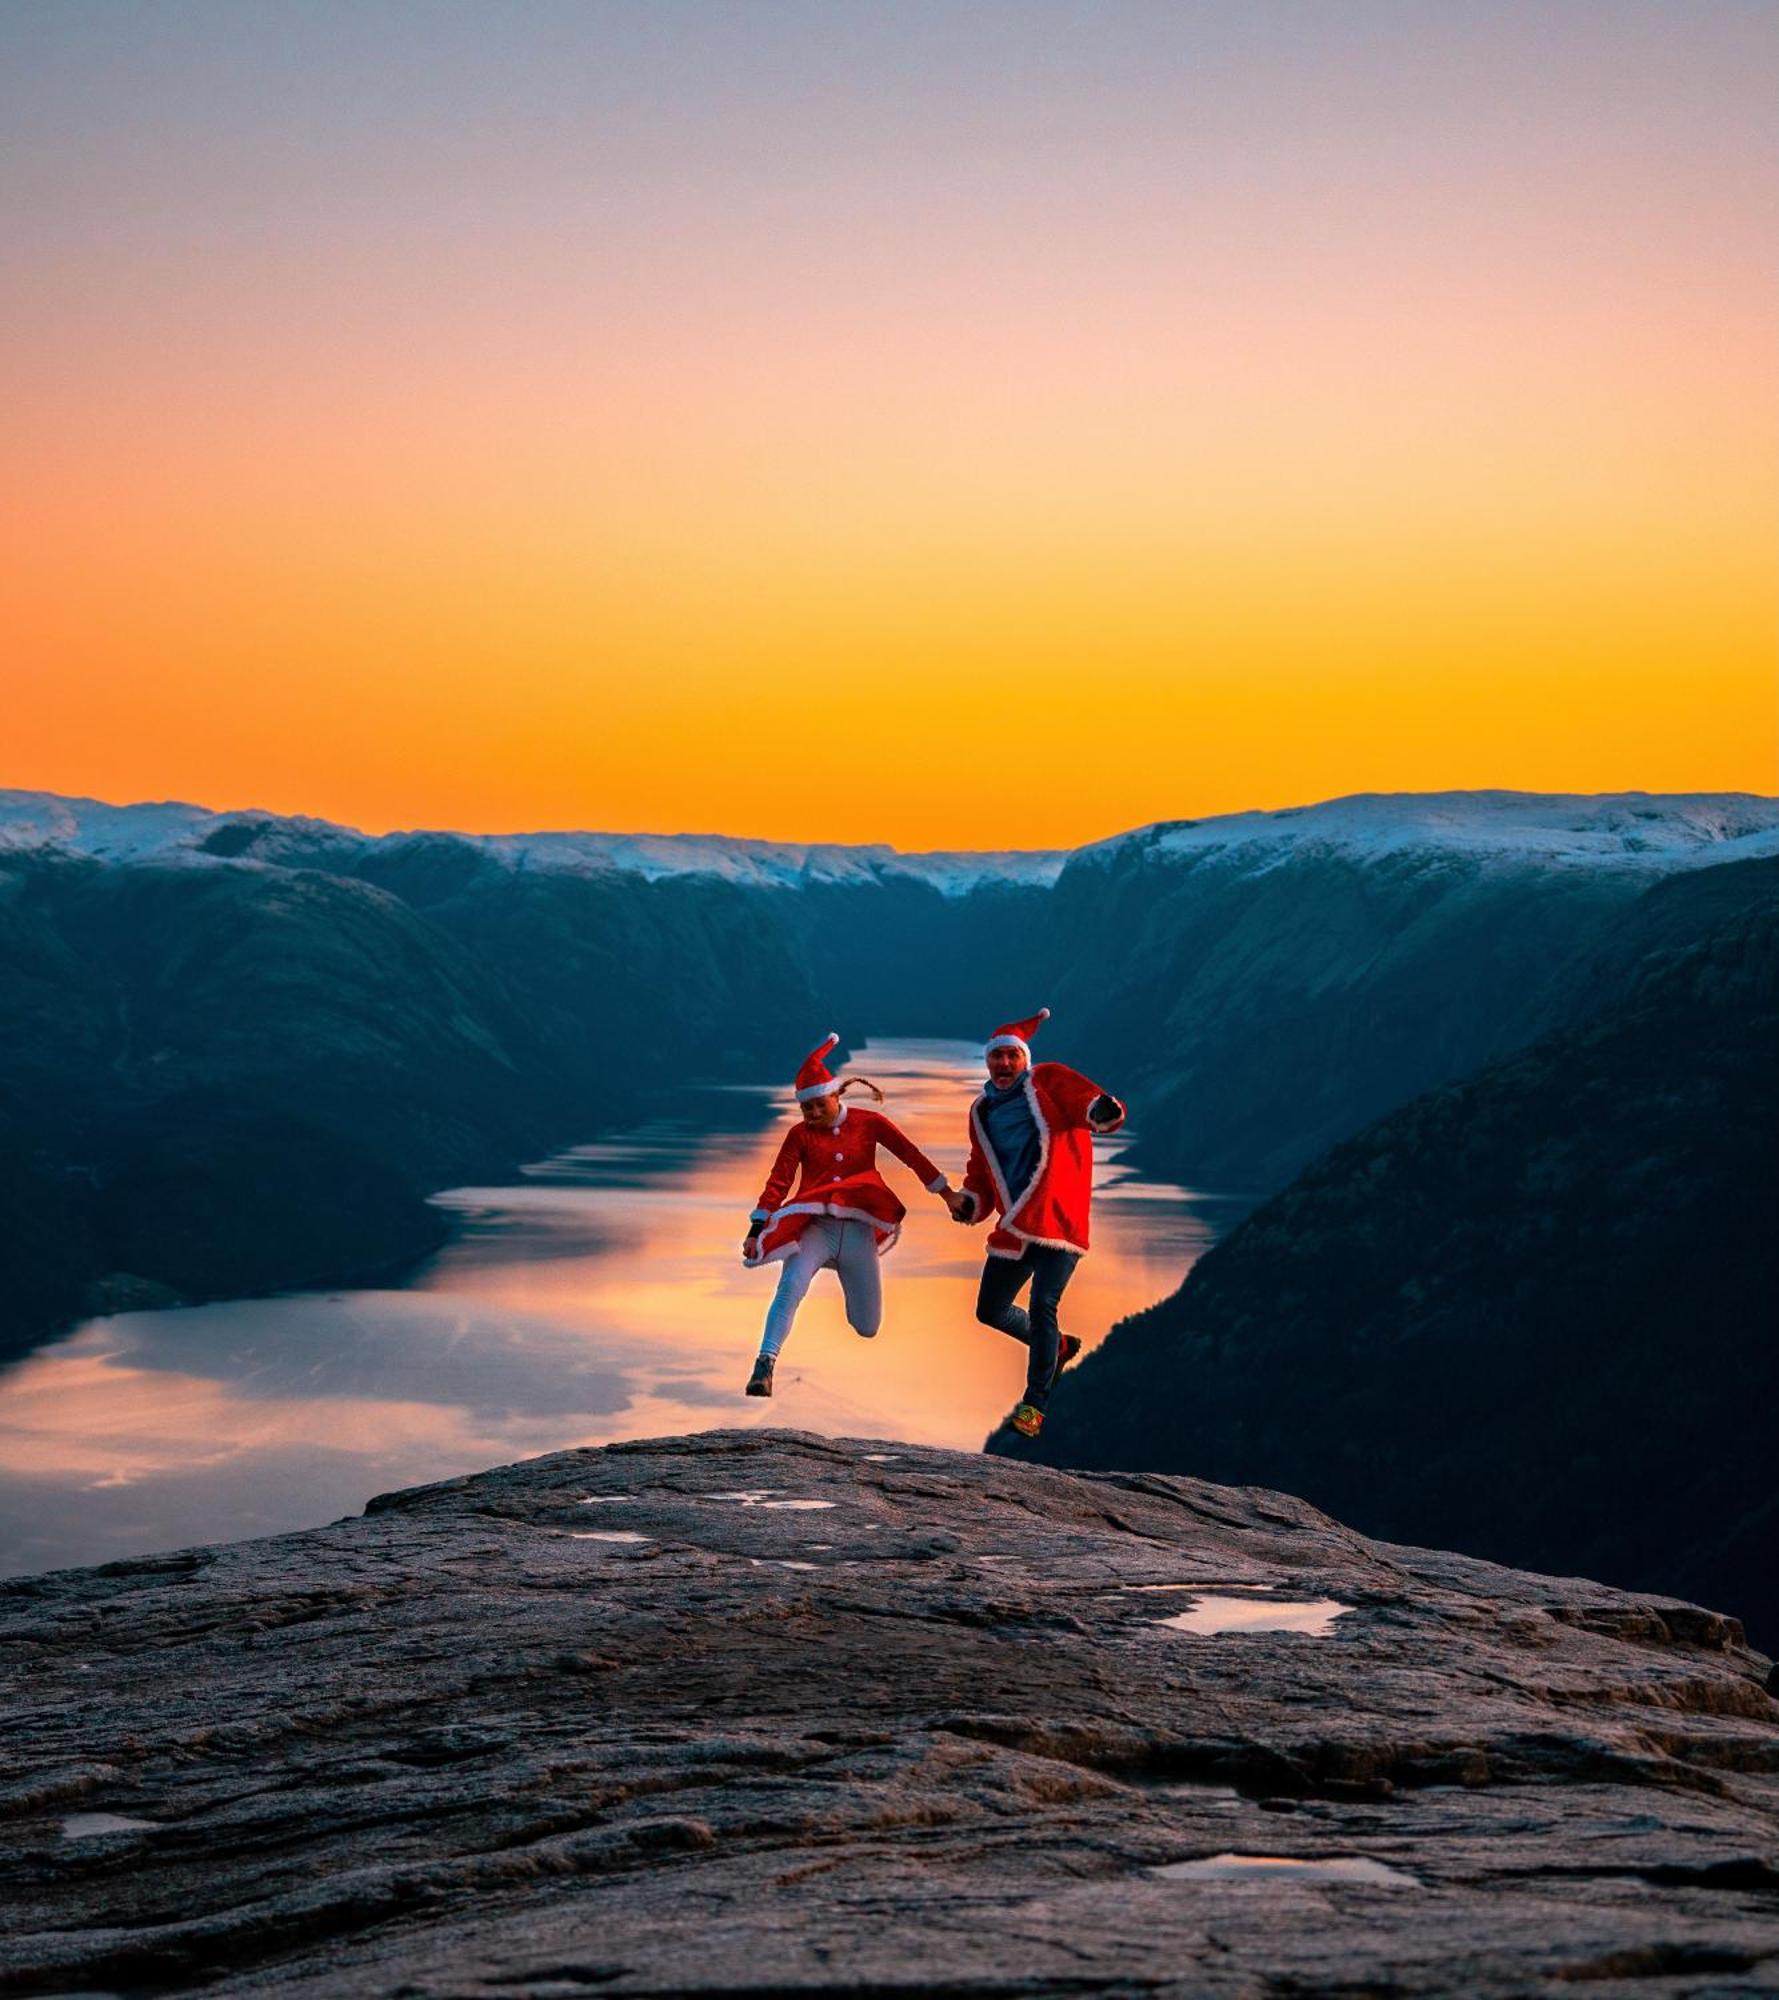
[{"x": 1530, "y": 1315}]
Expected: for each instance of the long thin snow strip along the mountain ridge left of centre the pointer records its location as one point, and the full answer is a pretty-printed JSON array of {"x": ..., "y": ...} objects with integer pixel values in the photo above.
[{"x": 179, "y": 833}]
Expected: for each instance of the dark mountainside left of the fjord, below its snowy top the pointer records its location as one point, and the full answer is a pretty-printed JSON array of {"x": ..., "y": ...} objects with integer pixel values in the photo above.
[{"x": 233, "y": 1077}]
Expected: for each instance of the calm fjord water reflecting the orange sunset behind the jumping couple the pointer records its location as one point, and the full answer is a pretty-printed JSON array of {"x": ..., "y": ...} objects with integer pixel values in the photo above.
[{"x": 603, "y": 1297}]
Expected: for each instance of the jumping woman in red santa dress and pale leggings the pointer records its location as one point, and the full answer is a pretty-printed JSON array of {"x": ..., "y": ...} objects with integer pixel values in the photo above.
[{"x": 843, "y": 1215}]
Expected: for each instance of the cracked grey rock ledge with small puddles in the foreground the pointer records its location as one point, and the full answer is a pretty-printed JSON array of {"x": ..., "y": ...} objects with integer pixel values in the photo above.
[{"x": 763, "y": 1713}]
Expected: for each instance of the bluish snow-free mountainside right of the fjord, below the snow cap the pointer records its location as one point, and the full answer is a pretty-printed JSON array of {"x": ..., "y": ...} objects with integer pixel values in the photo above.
[{"x": 1264, "y": 1011}]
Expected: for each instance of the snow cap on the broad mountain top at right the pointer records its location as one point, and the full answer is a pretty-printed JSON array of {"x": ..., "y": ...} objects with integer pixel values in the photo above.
[{"x": 1560, "y": 829}]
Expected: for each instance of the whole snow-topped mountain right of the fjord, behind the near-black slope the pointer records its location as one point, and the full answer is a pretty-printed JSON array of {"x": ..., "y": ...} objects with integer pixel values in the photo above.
[{"x": 1270, "y": 983}]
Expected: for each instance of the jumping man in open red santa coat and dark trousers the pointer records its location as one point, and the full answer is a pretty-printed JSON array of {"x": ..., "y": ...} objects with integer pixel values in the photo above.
[{"x": 1032, "y": 1163}]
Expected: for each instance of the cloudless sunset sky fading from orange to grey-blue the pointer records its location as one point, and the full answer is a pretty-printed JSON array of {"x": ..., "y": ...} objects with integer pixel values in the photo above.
[{"x": 958, "y": 425}]
